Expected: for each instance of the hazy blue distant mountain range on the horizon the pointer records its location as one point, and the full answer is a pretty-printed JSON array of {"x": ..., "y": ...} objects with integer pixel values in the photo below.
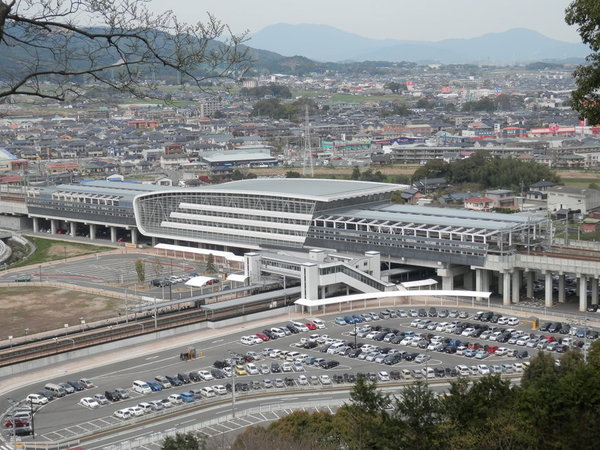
[{"x": 325, "y": 43}]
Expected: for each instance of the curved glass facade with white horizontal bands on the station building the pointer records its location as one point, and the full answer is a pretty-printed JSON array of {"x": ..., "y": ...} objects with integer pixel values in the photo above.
[{"x": 239, "y": 218}]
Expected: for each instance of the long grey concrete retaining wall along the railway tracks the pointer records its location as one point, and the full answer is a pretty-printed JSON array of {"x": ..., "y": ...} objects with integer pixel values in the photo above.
[{"x": 121, "y": 344}]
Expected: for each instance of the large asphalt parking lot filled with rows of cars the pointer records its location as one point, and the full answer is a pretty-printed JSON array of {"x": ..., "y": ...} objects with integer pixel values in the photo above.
[{"x": 386, "y": 346}]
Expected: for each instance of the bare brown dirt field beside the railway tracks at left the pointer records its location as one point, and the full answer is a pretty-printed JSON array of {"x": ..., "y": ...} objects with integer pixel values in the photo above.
[{"x": 45, "y": 308}]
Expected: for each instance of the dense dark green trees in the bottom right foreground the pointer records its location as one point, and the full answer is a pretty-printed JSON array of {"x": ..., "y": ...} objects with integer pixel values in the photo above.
[{"x": 556, "y": 406}]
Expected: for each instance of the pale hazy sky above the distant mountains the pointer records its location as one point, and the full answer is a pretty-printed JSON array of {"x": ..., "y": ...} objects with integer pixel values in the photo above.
[{"x": 387, "y": 19}]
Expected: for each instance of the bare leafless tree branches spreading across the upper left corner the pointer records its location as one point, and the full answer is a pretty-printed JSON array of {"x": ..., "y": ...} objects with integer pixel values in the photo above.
[{"x": 48, "y": 51}]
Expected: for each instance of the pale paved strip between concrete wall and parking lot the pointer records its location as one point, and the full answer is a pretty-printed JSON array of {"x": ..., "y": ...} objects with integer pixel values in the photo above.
[{"x": 175, "y": 343}]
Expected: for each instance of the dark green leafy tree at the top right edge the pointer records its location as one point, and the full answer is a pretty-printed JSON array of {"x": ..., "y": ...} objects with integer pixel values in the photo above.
[{"x": 585, "y": 99}]
